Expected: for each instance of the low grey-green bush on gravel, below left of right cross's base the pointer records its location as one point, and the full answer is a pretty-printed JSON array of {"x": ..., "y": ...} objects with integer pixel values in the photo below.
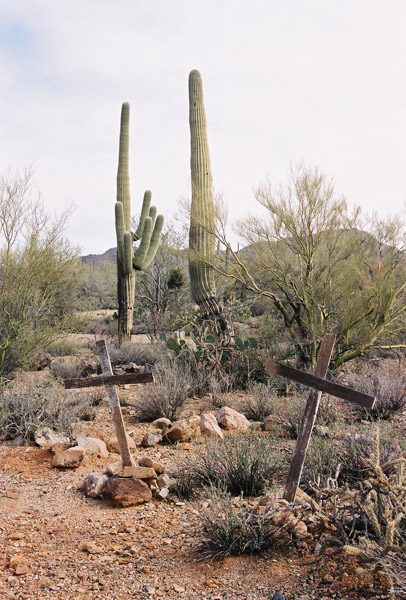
[{"x": 229, "y": 531}]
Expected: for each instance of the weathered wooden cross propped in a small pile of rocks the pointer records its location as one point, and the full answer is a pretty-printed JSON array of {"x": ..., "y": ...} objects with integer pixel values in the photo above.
[{"x": 110, "y": 381}]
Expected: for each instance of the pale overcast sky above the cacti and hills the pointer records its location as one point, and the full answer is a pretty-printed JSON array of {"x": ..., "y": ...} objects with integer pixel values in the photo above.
[{"x": 322, "y": 81}]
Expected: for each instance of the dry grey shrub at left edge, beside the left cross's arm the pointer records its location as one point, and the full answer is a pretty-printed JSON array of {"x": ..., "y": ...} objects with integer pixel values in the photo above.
[{"x": 26, "y": 405}]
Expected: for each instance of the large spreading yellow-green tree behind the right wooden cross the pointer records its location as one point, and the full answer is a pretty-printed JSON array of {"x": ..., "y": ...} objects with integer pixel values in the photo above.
[{"x": 324, "y": 269}]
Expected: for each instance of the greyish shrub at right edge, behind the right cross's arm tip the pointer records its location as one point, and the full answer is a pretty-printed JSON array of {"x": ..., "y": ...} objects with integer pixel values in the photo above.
[{"x": 388, "y": 386}]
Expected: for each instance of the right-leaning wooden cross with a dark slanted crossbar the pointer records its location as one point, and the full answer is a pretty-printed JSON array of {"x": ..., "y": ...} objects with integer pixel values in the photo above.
[{"x": 320, "y": 384}]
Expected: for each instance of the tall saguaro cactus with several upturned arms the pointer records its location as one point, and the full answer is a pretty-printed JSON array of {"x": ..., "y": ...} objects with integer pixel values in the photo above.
[{"x": 130, "y": 260}]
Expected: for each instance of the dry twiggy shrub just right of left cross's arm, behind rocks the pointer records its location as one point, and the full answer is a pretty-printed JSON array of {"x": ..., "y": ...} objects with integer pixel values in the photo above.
[{"x": 174, "y": 384}]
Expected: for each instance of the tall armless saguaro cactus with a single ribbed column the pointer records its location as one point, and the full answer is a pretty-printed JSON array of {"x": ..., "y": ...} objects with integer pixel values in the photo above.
[{"x": 202, "y": 214}]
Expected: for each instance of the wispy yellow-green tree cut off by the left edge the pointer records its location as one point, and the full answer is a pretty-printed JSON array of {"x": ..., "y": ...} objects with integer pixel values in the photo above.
[{"x": 38, "y": 275}]
